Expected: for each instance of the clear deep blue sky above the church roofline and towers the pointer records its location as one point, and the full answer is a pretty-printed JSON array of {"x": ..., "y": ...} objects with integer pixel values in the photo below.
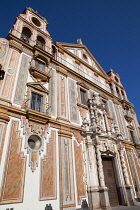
[{"x": 109, "y": 28}]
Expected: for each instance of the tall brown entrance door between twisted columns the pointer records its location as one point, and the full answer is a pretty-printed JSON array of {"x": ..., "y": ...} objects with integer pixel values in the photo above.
[{"x": 110, "y": 181}]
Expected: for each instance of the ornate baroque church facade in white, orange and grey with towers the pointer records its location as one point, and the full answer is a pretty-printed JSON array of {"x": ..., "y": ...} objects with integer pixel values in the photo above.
[{"x": 69, "y": 137}]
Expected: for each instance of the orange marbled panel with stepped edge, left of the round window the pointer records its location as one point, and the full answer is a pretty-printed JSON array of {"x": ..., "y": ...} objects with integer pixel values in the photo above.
[{"x": 13, "y": 181}]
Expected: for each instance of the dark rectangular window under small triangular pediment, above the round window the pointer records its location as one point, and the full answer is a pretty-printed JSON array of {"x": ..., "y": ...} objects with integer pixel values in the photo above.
[{"x": 36, "y": 102}]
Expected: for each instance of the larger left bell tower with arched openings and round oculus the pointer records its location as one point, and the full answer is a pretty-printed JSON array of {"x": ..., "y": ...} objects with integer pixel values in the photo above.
[{"x": 29, "y": 29}]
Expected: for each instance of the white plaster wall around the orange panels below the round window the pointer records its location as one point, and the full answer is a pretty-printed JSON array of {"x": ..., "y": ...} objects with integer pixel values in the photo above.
[{"x": 32, "y": 179}]
